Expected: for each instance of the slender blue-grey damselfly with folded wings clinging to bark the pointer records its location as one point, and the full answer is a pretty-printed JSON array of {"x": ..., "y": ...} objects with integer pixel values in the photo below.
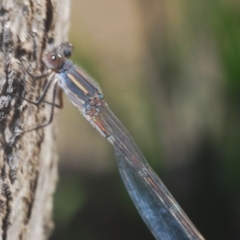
[{"x": 160, "y": 212}]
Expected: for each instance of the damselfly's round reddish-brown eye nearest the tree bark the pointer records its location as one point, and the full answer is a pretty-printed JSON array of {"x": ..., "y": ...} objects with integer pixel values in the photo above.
[{"x": 53, "y": 61}]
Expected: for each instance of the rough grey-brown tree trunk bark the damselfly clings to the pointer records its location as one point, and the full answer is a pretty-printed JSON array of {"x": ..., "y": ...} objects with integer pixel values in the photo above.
[{"x": 28, "y": 162}]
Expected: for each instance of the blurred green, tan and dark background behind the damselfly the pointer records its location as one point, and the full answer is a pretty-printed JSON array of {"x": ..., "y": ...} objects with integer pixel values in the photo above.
[{"x": 170, "y": 71}]
